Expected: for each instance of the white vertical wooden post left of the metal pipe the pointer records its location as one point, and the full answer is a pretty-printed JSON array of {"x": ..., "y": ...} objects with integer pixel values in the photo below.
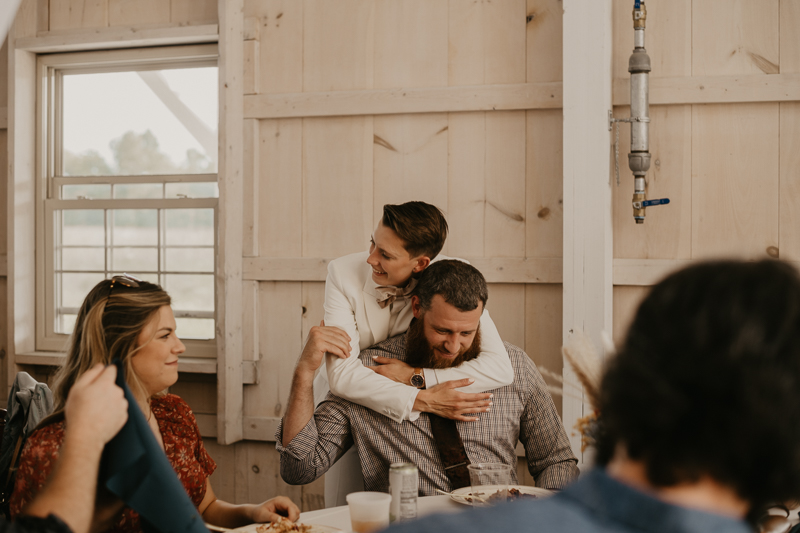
[{"x": 587, "y": 190}]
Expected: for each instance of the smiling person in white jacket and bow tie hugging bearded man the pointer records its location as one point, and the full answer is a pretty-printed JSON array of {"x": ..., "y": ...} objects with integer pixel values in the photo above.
[{"x": 366, "y": 295}]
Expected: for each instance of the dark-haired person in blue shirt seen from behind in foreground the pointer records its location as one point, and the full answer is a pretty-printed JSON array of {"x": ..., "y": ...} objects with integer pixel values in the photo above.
[{"x": 699, "y": 412}]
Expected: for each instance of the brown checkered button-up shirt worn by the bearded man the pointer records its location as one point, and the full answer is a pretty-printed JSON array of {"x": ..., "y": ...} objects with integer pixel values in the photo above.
[{"x": 521, "y": 411}]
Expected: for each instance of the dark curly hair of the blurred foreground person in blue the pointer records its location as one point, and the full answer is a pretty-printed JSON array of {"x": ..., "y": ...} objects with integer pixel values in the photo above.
[{"x": 707, "y": 382}]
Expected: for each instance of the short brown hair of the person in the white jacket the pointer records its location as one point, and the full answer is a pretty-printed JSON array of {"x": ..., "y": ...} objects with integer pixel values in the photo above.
[{"x": 420, "y": 226}]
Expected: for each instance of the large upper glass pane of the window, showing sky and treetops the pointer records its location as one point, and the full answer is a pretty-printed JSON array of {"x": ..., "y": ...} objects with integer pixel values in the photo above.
[{"x": 144, "y": 122}]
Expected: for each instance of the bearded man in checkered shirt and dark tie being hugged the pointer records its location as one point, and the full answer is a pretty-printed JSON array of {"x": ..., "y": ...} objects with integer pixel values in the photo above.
[{"x": 447, "y": 306}]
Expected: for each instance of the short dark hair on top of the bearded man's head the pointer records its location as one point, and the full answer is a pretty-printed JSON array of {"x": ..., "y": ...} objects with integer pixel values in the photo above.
[{"x": 459, "y": 283}]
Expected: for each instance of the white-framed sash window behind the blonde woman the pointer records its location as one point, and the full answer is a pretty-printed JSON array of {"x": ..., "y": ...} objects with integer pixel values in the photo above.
[{"x": 127, "y": 168}]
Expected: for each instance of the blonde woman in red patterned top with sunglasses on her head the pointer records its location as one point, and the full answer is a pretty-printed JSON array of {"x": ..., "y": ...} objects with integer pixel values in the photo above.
[{"x": 131, "y": 320}]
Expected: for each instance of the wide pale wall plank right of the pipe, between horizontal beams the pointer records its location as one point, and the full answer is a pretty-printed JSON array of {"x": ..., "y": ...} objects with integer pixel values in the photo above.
[{"x": 735, "y": 180}]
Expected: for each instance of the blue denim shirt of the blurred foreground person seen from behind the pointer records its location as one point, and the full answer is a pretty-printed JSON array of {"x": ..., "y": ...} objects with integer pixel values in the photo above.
[{"x": 594, "y": 504}]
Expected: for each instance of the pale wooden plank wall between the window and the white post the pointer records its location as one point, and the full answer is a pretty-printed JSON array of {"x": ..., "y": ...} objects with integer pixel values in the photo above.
[{"x": 316, "y": 185}]
